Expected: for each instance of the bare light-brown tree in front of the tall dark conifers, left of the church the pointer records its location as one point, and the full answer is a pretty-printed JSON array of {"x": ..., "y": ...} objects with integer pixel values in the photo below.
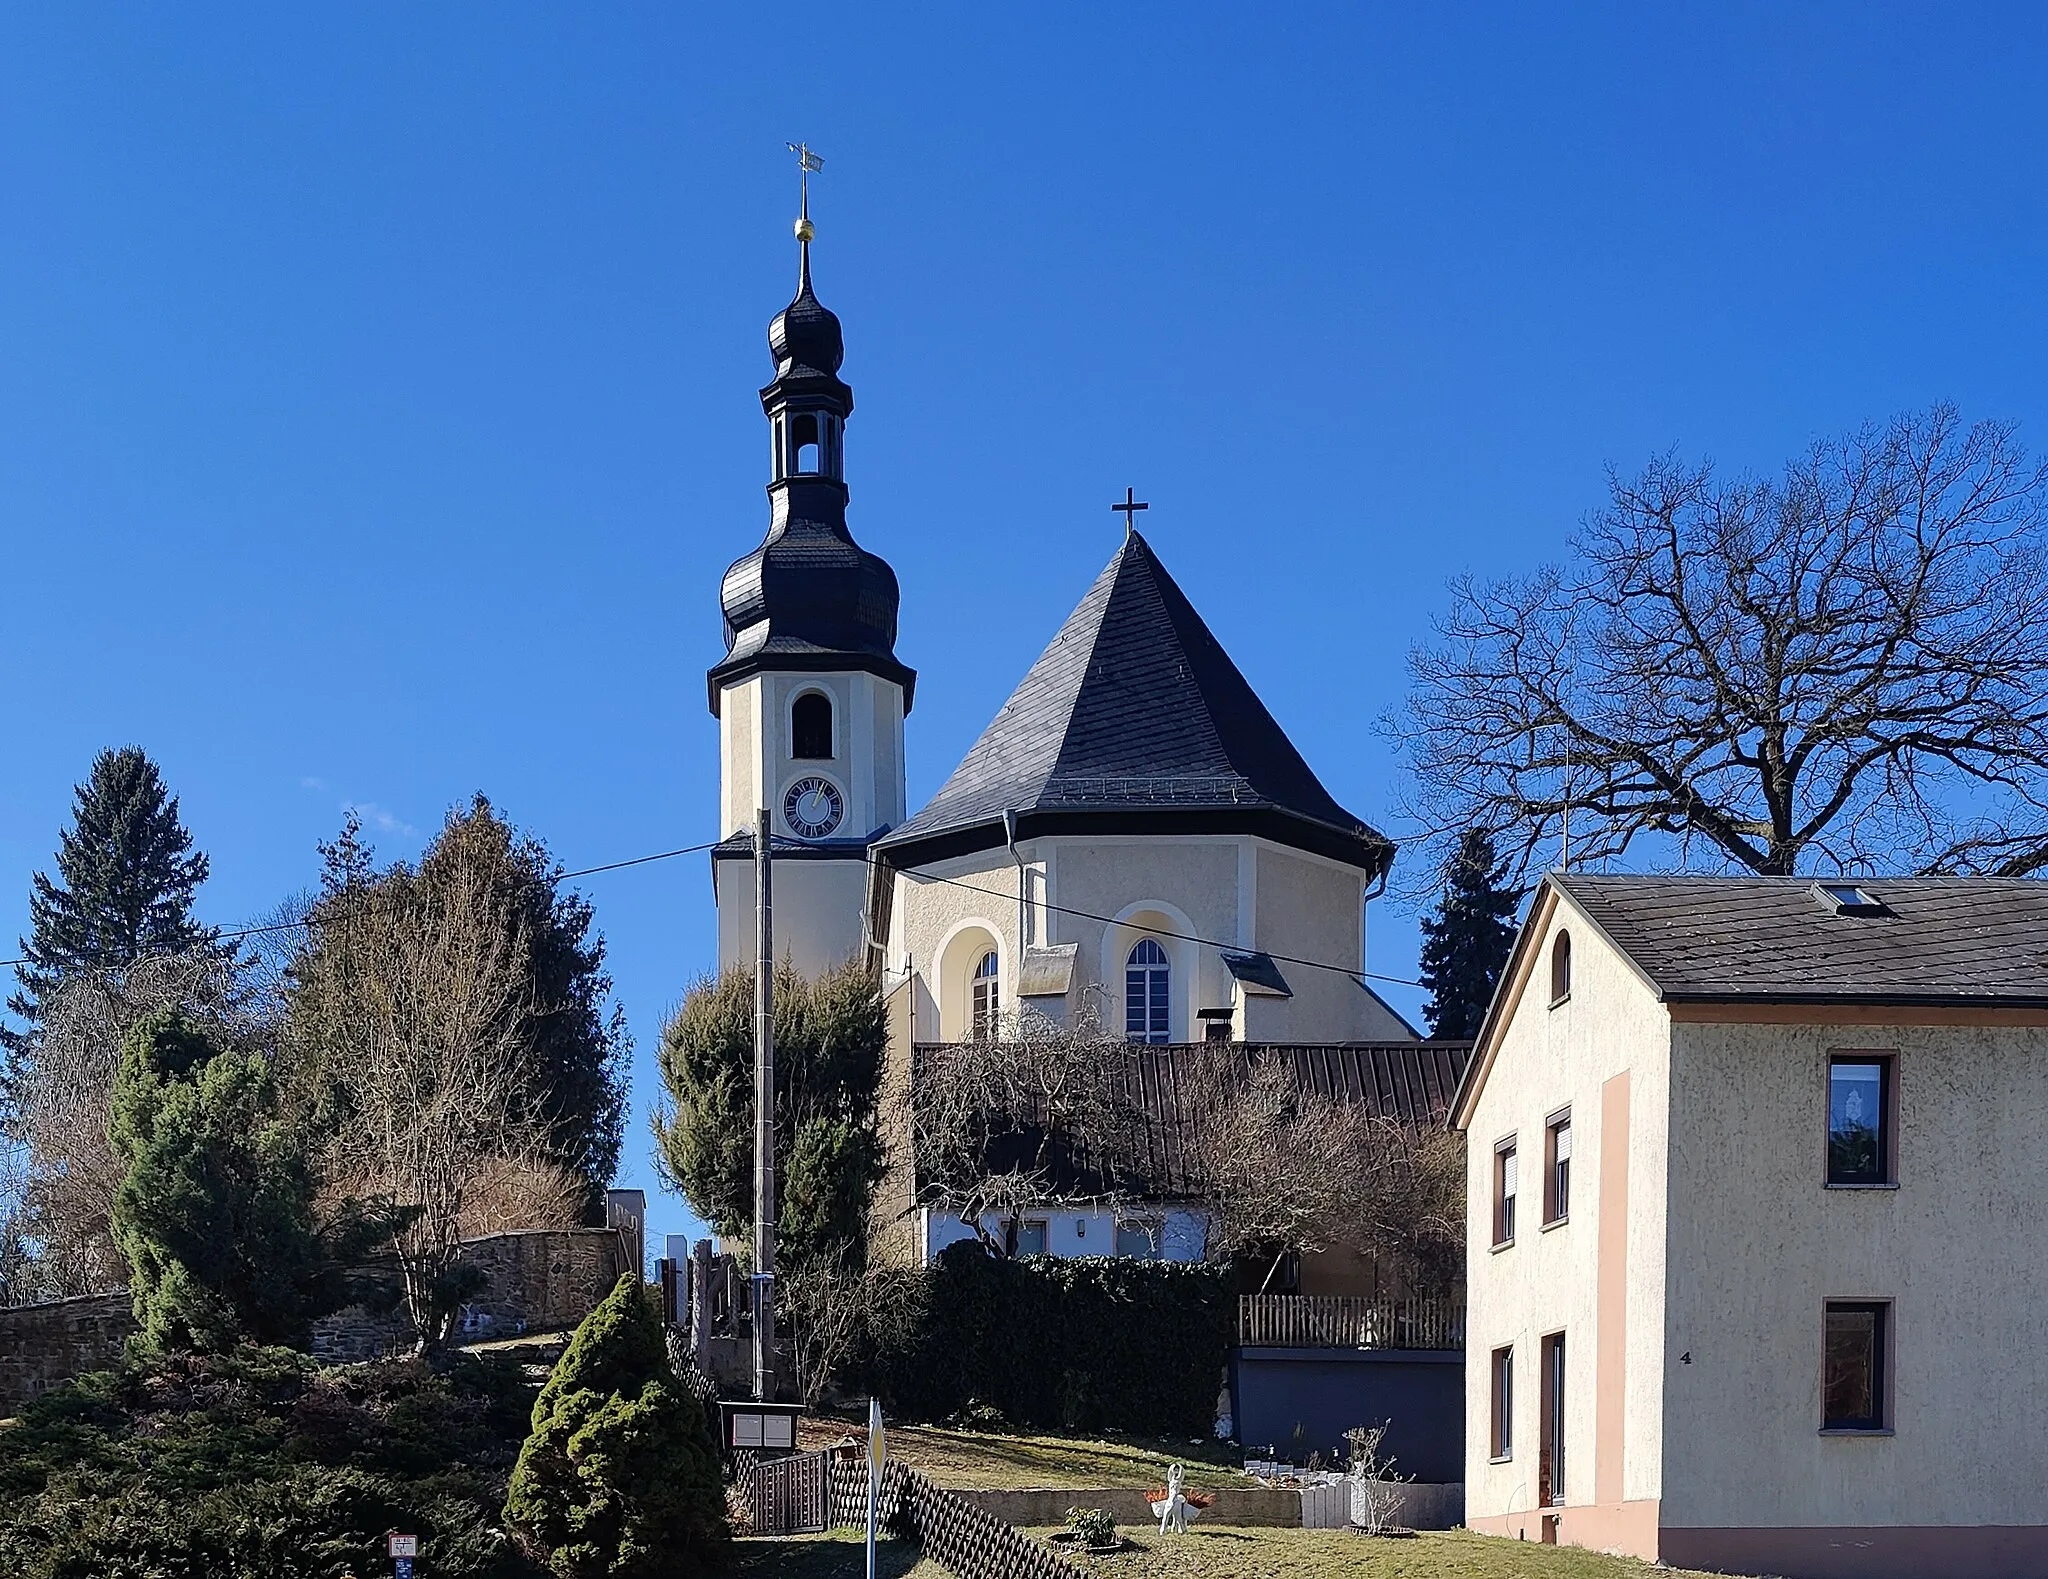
[{"x": 411, "y": 1009}]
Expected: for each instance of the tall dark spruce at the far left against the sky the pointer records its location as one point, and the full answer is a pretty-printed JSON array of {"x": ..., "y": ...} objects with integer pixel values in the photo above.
[{"x": 124, "y": 888}]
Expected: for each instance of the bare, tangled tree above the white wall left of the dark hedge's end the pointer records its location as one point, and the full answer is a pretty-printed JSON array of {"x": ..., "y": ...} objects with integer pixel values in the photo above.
[{"x": 1029, "y": 1119}]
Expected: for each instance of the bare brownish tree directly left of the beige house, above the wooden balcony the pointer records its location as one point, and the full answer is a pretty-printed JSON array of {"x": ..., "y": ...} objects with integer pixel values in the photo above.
[{"x": 1285, "y": 1168}]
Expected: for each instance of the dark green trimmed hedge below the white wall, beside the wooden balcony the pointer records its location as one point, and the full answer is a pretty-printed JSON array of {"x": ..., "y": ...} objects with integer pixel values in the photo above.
[{"x": 1072, "y": 1345}]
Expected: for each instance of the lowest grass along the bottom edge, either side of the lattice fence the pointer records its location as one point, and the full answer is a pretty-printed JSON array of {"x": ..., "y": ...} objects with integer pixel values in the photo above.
[{"x": 1230, "y": 1555}]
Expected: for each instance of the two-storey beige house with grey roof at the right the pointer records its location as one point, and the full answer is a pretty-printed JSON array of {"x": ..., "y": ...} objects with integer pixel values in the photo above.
[{"x": 1756, "y": 1254}]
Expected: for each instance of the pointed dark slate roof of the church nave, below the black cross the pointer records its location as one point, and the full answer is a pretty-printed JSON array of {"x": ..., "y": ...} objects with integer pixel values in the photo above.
[{"x": 1136, "y": 720}]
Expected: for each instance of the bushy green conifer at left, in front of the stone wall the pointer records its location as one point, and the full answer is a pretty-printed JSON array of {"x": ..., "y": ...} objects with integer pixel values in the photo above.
[{"x": 216, "y": 1209}]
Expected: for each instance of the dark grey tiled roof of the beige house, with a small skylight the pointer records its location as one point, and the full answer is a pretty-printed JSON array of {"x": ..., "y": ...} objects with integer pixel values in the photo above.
[{"x": 1775, "y": 939}]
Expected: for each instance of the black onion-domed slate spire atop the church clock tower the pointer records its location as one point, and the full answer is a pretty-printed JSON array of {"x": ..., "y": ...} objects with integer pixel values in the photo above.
[{"x": 808, "y": 597}]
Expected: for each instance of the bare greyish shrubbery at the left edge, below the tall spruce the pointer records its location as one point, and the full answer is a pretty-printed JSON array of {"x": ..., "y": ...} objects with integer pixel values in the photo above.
[{"x": 60, "y": 1172}]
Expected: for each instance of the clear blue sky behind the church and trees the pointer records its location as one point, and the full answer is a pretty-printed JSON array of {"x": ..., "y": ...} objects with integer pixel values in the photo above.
[{"x": 378, "y": 382}]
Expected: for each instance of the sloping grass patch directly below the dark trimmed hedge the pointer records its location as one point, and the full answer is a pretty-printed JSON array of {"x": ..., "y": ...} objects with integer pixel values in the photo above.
[{"x": 988, "y": 1461}]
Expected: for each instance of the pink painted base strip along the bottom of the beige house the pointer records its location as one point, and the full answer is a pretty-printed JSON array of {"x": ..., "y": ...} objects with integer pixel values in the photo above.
[{"x": 1908, "y": 1551}]
